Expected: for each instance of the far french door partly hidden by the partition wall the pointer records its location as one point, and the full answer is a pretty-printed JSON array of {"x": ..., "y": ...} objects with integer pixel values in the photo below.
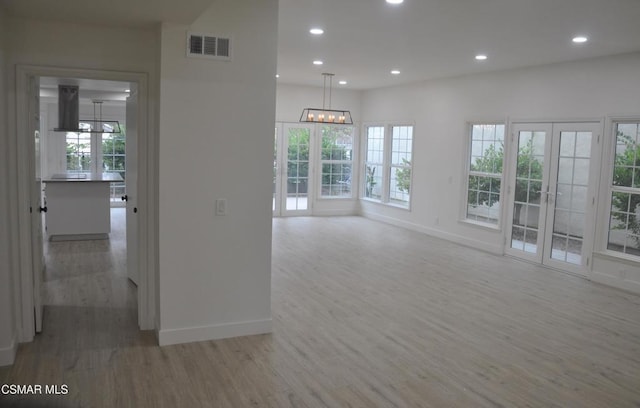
[{"x": 292, "y": 171}]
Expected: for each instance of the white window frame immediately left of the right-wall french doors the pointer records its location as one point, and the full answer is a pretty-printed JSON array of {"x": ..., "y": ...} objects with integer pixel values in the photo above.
[{"x": 467, "y": 173}]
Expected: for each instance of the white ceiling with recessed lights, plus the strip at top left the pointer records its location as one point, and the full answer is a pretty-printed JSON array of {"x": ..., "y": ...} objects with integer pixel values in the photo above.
[{"x": 424, "y": 39}]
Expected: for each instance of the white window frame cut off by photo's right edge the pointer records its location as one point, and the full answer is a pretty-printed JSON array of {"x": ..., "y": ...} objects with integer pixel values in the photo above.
[{"x": 607, "y": 179}]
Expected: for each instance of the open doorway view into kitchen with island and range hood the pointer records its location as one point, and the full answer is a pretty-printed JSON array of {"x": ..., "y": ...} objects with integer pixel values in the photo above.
[{"x": 85, "y": 271}]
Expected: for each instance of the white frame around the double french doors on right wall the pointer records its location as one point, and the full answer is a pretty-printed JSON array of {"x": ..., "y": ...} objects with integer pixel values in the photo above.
[{"x": 592, "y": 193}]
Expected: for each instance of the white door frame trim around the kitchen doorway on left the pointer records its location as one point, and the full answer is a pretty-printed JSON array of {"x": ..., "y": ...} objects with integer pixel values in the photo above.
[{"x": 146, "y": 163}]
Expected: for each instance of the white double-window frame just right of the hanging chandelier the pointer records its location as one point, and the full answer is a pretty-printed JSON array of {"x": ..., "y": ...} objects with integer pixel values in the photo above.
[{"x": 386, "y": 165}]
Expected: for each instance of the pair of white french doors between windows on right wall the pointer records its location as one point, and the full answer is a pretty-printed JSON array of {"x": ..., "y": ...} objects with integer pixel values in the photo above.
[{"x": 552, "y": 193}]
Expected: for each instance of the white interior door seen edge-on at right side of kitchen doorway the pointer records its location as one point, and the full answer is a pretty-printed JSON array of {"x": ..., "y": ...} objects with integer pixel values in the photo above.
[{"x": 131, "y": 183}]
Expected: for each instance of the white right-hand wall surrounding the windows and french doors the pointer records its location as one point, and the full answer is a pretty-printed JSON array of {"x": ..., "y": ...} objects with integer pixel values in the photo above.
[{"x": 441, "y": 109}]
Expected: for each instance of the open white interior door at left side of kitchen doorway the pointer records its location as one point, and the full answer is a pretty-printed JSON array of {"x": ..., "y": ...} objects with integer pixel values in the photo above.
[{"x": 36, "y": 199}]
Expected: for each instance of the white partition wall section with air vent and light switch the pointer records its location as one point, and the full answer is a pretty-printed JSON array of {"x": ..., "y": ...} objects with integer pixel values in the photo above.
[{"x": 216, "y": 141}]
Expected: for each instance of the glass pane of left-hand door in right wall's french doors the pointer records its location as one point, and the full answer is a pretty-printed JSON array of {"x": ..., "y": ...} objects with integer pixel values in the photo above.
[{"x": 526, "y": 210}]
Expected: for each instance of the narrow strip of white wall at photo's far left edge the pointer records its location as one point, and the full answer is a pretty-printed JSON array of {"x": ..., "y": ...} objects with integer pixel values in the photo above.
[{"x": 7, "y": 323}]
